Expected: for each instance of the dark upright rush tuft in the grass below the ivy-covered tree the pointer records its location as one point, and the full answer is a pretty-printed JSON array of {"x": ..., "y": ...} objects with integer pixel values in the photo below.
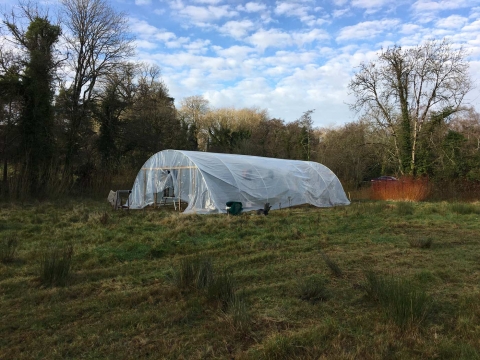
[{"x": 55, "y": 265}]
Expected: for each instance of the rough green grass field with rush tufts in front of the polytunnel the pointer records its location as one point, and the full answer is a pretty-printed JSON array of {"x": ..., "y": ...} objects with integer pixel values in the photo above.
[{"x": 374, "y": 280}]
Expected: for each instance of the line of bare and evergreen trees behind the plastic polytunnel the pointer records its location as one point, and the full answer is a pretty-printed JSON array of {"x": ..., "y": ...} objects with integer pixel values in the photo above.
[{"x": 77, "y": 113}]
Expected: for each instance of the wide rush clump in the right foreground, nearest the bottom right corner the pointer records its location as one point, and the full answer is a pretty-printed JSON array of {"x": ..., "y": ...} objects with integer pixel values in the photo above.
[{"x": 402, "y": 301}]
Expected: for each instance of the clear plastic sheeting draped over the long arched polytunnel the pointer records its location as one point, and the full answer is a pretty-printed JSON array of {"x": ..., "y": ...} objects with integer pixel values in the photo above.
[{"x": 207, "y": 181}]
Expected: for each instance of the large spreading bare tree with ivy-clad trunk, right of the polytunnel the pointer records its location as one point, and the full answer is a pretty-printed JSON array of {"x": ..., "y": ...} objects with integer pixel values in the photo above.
[{"x": 406, "y": 89}]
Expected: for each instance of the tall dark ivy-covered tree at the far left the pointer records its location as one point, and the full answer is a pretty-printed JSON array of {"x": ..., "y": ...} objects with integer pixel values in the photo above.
[{"x": 36, "y": 121}]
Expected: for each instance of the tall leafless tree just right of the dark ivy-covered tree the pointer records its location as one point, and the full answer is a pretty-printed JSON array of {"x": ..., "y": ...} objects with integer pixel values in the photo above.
[{"x": 97, "y": 39}]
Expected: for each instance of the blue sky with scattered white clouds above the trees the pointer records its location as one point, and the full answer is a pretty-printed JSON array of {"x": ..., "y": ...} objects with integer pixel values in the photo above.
[{"x": 288, "y": 56}]
